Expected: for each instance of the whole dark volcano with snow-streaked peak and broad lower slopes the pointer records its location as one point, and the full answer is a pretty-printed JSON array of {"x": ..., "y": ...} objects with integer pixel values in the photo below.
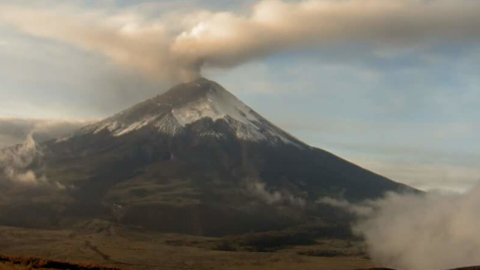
[{"x": 193, "y": 160}]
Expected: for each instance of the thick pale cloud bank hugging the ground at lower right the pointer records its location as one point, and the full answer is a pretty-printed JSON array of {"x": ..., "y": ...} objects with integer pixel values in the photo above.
[{"x": 428, "y": 231}]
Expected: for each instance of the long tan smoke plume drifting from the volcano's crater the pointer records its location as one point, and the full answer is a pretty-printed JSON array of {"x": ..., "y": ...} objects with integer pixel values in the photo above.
[{"x": 177, "y": 46}]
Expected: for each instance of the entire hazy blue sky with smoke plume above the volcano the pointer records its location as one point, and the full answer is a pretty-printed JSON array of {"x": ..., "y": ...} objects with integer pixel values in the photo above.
[{"x": 395, "y": 93}]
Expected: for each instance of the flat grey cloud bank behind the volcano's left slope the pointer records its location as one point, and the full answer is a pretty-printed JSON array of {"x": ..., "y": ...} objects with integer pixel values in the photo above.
[{"x": 17, "y": 131}]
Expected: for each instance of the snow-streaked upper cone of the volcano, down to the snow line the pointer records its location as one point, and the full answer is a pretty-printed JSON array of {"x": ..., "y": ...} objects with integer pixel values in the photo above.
[{"x": 188, "y": 103}]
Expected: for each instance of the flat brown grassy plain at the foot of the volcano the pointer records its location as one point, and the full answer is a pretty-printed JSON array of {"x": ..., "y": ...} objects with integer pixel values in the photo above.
[{"x": 124, "y": 248}]
